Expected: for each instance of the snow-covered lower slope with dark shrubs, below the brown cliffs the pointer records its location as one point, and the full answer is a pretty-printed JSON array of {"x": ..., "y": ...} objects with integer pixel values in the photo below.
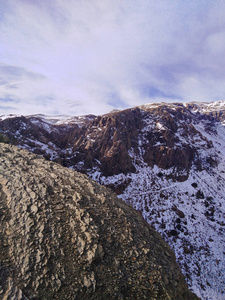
[{"x": 190, "y": 216}]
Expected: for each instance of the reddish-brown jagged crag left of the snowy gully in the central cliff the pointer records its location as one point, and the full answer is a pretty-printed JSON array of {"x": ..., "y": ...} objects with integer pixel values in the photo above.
[{"x": 107, "y": 140}]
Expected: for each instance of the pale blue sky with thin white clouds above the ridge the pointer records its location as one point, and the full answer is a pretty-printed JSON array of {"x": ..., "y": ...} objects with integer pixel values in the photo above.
[{"x": 79, "y": 57}]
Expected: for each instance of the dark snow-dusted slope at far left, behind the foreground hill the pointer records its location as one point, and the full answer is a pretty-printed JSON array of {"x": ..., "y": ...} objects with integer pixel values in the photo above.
[{"x": 47, "y": 137}]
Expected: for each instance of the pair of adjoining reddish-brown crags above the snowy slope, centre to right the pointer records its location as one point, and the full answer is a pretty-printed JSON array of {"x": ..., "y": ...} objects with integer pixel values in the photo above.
[{"x": 152, "y": 132}]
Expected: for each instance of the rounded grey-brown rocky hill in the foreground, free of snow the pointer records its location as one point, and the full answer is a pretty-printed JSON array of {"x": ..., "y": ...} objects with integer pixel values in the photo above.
[{"x": 63, "y": 236}]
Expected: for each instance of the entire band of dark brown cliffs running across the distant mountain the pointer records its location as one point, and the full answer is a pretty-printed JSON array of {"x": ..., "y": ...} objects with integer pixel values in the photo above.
[{"x": 162, "y": 134}]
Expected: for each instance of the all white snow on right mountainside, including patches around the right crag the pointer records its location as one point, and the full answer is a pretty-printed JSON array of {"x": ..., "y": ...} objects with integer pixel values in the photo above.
[{"x": 190, "y": 215}]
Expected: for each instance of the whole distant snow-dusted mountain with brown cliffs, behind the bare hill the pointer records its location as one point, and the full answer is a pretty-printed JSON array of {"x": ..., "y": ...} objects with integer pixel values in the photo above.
[{"x": 166, "y": 160}]
